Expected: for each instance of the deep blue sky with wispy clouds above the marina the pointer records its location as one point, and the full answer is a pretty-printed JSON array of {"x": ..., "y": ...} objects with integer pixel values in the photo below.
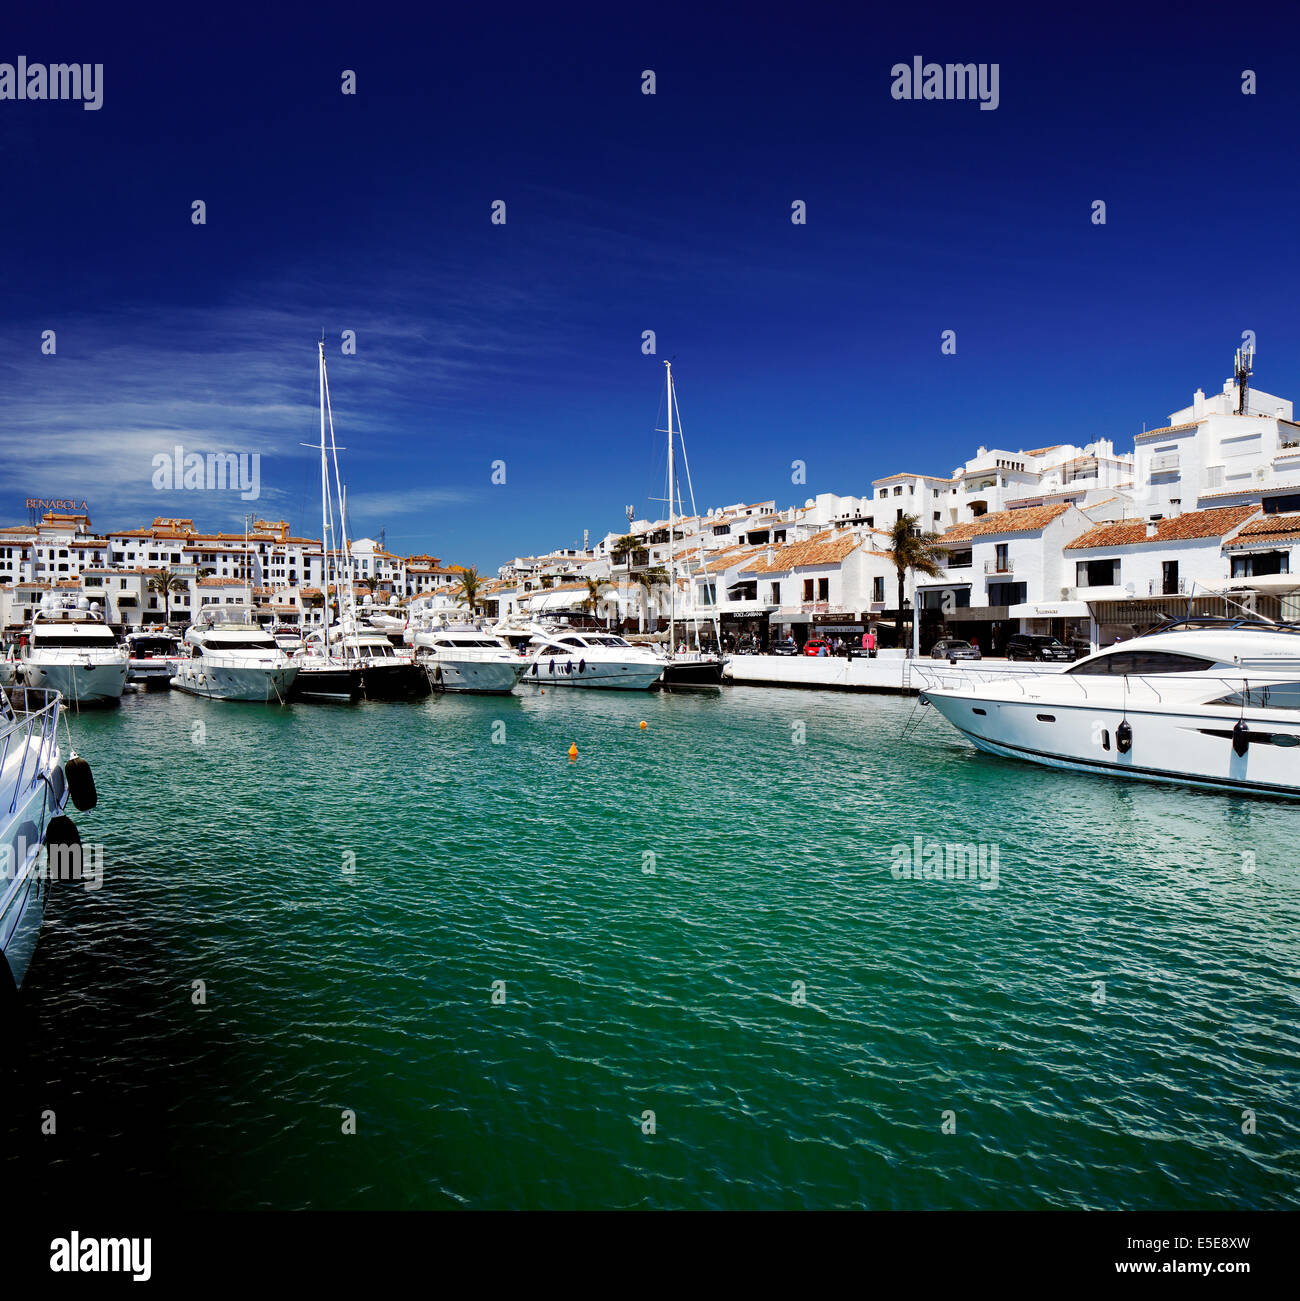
[{"x": 625, "y": 213}]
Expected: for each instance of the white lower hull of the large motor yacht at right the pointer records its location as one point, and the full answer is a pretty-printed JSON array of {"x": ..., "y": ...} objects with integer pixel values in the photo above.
[{"x": 1168, "y": 746}]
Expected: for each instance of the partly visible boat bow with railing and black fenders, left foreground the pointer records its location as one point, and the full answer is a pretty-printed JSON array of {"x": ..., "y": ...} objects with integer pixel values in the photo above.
[{"x": 34, "y": 792}]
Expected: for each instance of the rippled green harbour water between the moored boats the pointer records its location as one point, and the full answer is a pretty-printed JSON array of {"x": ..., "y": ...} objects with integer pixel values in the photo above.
[{"x": 697, "y": 920}]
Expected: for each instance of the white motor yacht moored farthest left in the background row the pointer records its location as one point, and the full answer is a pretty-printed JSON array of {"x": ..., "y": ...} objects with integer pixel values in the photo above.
[{"x": 71, "y": 650}]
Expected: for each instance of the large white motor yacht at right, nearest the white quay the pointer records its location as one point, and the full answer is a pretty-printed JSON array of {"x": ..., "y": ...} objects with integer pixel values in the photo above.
[{"x": 1204, "y": 702}]
